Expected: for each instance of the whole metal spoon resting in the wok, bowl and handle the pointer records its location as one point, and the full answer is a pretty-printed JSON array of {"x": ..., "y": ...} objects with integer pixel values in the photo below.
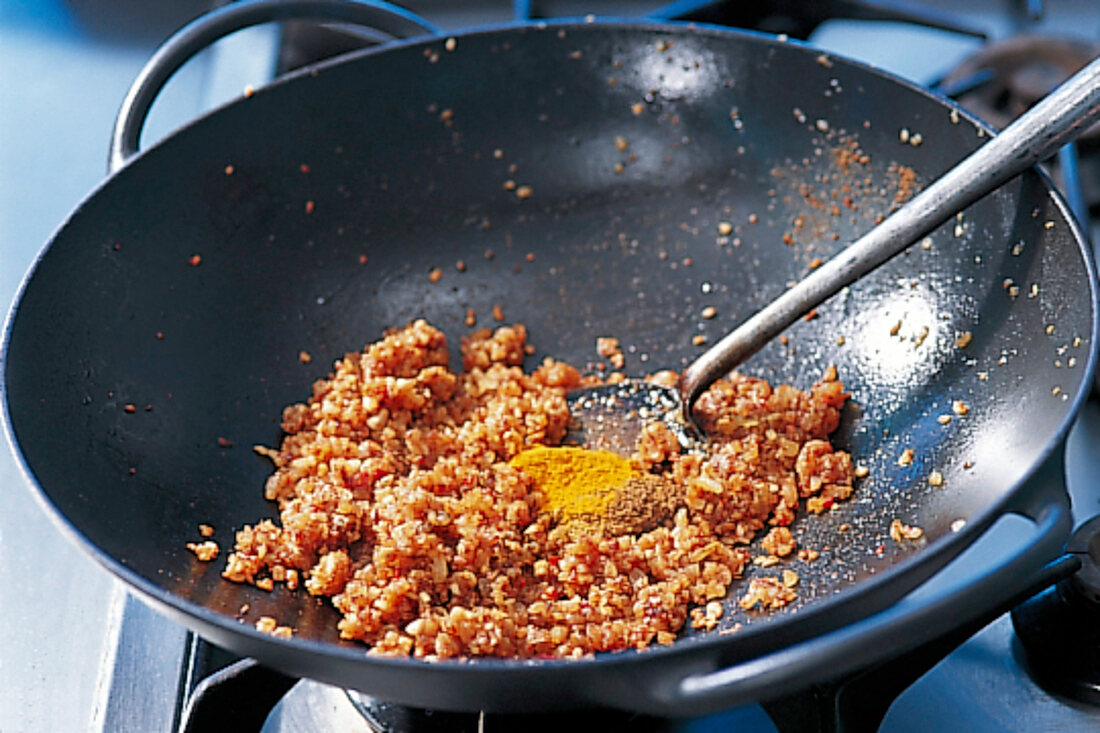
[{"x": 612, "y": 417}]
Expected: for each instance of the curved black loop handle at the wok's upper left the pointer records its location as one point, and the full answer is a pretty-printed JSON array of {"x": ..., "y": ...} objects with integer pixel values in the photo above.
[{"x": 204, "y": 31}]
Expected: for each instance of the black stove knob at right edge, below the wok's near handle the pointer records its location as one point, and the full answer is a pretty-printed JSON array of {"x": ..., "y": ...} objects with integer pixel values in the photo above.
[{"x": 1060, "y": 629}]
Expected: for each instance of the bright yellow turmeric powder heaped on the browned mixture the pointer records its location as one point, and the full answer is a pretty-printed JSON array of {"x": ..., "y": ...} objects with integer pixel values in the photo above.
[{"x": 575, "y": 482}]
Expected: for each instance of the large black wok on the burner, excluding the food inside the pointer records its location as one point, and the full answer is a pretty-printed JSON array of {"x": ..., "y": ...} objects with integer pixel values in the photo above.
[{"x": 401, "y": 148}]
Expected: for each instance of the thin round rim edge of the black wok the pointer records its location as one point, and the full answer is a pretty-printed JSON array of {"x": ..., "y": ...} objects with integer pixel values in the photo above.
[{"x": 199, "y": 617}]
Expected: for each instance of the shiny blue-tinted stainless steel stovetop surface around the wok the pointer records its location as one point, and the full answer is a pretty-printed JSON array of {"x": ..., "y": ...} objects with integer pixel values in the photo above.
[{"x": 78, "y": 652}]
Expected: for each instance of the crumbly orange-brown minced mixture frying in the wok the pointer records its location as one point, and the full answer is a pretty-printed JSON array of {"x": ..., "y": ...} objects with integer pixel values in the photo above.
[{"x": 397, "y": 499}]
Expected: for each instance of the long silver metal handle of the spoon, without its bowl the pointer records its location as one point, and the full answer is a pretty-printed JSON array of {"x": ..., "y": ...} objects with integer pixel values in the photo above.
[{"x": 1039, "y": 134}]
